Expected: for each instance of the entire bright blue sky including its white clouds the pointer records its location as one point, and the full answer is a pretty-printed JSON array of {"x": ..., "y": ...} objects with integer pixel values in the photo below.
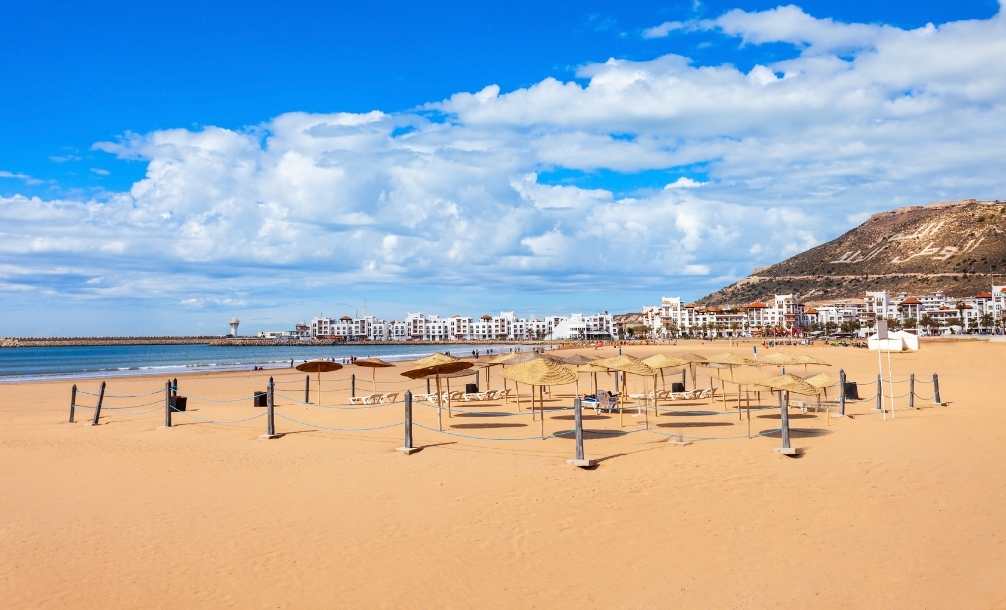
[{"x": 153, "y": 178}]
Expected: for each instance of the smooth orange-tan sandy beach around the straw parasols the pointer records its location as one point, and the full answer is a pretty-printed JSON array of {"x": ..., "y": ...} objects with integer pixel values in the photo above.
[{"x": 906, "y": 513}]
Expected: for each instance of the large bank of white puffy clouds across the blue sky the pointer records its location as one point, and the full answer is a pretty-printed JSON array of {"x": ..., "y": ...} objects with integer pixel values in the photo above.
[{"x": 861, "y": 117}]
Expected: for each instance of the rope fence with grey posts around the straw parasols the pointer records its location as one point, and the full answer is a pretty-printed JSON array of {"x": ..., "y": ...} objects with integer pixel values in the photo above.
[{"x": 294, "y": 391}]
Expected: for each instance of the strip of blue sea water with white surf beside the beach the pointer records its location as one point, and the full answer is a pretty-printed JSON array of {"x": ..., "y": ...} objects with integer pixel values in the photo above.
[{"x": 30, "y": 364}]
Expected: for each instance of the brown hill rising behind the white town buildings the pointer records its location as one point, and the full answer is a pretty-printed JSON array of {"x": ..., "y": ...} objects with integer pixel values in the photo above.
[{"x": 953, "y": 246}]
